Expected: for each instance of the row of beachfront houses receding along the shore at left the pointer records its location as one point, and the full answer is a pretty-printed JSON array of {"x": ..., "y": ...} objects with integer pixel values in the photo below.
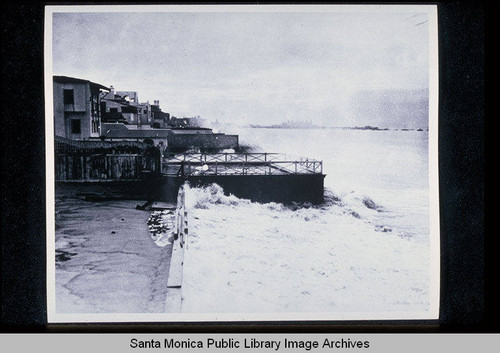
[{"x": 85, "y": 110}]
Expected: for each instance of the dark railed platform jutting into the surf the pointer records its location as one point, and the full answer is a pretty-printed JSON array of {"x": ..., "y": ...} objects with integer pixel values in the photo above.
[{"x": 261, "y": 177}]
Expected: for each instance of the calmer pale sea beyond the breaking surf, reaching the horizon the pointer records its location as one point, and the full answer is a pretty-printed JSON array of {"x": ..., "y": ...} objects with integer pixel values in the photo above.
[{"x": 389, "y": 167}]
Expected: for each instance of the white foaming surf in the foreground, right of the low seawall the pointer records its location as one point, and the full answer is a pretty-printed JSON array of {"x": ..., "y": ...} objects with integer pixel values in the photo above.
[{"x": 245, "y": 250}]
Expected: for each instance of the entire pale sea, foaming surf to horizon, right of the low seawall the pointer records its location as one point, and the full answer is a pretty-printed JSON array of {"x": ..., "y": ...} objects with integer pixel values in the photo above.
[{"x": 366, "y": 249}]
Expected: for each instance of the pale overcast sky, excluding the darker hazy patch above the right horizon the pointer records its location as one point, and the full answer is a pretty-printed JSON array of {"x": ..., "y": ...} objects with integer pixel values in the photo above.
[{"x": 247, "y": 67}]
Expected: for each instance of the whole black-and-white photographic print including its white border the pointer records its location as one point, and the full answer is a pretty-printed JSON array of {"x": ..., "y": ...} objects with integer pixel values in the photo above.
[{"x": 242, "y": 163}]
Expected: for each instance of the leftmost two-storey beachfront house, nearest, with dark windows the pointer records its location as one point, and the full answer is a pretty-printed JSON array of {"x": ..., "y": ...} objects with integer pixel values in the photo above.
[{"x": 77, "y": 114}]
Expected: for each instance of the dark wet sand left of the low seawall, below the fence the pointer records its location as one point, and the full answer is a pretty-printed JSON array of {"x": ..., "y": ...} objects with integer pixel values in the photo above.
[{"x": 106, "y": 261}]
